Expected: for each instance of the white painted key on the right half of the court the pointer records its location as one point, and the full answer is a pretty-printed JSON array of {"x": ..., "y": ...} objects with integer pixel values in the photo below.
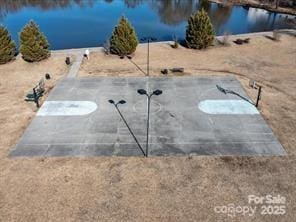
[{"x": 238, "y": 107}]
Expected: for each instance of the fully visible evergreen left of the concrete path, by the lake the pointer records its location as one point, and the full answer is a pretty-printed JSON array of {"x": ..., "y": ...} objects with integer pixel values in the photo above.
[{"x": 33, "y": 44}]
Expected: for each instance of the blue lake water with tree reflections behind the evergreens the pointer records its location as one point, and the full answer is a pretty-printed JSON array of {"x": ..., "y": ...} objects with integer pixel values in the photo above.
[{"x": 89, "y": 23}]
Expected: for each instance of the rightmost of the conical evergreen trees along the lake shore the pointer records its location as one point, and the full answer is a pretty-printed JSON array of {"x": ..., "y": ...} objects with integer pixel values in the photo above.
[{"x": 199, "y": 32}]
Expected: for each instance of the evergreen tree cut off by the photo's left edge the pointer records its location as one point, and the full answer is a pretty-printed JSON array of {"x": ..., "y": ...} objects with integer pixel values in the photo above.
[{"x": 7, "y": 46}]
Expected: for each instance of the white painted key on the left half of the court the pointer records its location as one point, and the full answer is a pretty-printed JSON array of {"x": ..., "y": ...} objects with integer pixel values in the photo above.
[{"x": 67, "y": 108}]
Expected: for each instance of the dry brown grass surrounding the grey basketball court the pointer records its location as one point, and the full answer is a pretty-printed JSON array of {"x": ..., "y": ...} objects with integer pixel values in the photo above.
[{"x": 153, "y": 189}]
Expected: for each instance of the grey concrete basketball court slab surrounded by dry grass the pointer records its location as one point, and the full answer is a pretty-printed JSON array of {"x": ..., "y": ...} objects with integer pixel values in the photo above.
[{"x": 178, "y": 126}]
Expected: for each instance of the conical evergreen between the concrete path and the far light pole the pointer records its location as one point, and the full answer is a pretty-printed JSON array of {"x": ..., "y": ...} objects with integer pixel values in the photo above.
[{"x": 124, "y": 40}]
